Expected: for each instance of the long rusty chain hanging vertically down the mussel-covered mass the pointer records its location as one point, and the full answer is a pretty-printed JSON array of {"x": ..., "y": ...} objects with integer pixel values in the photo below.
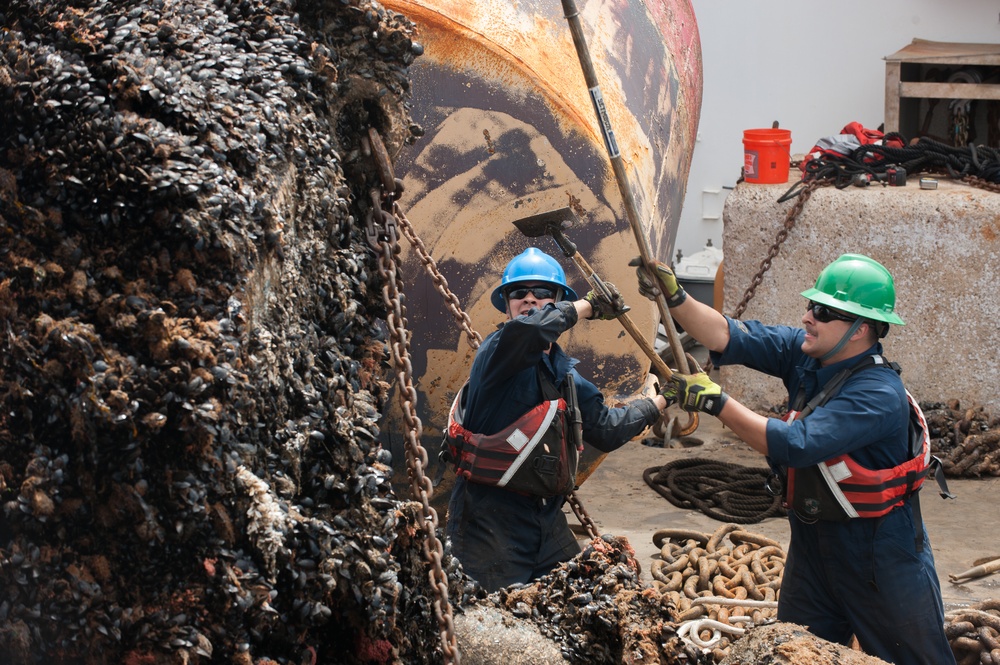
[{"x": 381, "y": 230}]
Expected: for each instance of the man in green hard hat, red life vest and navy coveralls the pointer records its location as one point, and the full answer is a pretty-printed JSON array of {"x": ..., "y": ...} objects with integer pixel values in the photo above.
[{"x": 850, "y": 456}]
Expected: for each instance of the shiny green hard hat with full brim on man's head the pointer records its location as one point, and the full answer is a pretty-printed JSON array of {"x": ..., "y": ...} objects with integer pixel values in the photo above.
[{"x": 857, "y": 284}]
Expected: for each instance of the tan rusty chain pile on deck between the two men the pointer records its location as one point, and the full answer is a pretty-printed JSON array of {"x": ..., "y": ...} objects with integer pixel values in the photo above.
[{"x": 720, "y": 583}]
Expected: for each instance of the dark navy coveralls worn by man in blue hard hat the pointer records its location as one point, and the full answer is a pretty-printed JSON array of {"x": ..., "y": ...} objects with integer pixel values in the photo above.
[{"x": 504, "y": 537}]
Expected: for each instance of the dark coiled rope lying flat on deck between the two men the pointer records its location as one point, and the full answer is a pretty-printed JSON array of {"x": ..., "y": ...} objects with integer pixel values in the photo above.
[{"x": 723, "y": 491}]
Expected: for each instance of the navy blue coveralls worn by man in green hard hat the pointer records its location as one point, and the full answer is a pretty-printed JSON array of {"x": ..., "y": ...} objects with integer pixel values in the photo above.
[{"x": 860, "y": 577}]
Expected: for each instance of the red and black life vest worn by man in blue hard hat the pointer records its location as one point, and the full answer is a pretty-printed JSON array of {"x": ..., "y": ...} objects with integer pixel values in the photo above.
[{"x": 537, "y": 454}]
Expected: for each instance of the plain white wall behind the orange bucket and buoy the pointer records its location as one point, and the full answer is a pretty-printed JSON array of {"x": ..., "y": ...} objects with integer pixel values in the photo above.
[{"x": 812, "y": 66}]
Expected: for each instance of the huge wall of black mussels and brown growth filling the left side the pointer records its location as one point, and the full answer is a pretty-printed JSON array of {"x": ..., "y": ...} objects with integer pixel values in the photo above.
[{"x": 192, "y": 360}]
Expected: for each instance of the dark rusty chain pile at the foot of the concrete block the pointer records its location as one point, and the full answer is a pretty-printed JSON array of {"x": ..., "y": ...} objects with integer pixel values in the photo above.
[{"x": 966, "y": 440}]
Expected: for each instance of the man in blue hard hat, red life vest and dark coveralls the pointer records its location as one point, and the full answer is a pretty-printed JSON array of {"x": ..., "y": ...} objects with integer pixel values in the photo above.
[{"x": 517, "y": 427}]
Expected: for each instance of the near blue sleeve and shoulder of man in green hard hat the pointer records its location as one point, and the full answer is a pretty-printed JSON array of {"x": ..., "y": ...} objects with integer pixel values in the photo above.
[{"x": 866, "y": 414}]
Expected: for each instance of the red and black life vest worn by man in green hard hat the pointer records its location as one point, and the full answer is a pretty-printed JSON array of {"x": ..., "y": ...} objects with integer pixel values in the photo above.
[{"x": 840, "y": 488}]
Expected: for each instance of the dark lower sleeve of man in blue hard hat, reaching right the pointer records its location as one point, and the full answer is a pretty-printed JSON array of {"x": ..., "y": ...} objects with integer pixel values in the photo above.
[{"x": 609, "y": 428}]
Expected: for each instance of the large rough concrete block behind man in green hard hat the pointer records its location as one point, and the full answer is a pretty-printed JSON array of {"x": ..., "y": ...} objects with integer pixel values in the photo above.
[{"x": 941, "y": 246}]
